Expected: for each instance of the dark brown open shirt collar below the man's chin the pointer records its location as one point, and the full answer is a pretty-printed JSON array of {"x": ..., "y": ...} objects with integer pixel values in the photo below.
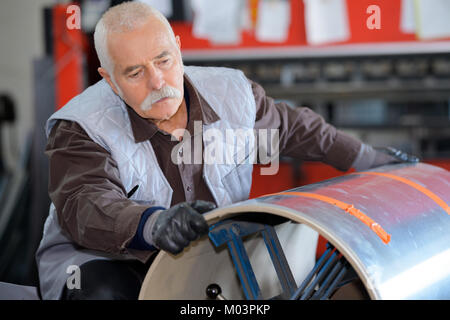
[{"x": 198, "y": 108}]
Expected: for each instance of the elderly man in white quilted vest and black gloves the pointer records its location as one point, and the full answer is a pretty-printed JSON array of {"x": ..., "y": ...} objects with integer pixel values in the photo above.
[{"x": 117, "y": 195}]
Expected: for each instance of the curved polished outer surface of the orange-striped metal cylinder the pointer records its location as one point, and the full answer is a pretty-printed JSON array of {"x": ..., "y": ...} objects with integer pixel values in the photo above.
[{"x": 412, "y": 209}]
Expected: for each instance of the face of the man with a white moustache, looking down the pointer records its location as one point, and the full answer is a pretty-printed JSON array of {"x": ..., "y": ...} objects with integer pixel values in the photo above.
[{"x": 147, "y": 68}]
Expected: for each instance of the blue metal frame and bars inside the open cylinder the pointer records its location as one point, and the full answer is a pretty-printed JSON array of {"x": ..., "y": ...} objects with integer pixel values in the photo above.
[{"x": 320, "y": 283}]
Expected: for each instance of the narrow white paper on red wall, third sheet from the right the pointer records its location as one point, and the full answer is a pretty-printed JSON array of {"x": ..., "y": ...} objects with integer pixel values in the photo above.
[{"x": 273, "y": 20}]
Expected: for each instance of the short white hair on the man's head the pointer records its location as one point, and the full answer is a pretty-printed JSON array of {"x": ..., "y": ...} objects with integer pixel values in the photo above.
[{"x": 124, "y": 17}]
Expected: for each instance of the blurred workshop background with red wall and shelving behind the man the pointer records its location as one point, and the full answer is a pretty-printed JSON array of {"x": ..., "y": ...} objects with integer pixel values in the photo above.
[{"x": 377, "y": 69}]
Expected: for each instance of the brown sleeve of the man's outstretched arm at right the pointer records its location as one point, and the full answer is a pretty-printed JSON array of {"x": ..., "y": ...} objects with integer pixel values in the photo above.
[{"x": 304, "y": 134}]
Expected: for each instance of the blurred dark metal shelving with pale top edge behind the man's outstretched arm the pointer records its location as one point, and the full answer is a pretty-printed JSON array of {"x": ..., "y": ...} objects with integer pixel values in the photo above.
[{"x": 405, "y": 85}]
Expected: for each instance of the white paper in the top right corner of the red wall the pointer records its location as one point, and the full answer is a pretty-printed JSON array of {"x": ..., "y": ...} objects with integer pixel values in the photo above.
[{"x": 433, "y": 19}]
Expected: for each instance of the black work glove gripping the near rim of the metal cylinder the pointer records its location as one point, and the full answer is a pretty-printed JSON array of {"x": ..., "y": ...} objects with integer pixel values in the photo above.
[{"x": 177, "y": 226}]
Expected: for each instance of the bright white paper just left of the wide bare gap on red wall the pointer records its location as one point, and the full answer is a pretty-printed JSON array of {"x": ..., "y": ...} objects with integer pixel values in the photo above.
[{"x": 326, "y": 21}]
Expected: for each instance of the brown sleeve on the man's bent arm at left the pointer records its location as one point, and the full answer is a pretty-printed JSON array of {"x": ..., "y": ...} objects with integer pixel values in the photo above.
[{"x": 90, "y": 200}]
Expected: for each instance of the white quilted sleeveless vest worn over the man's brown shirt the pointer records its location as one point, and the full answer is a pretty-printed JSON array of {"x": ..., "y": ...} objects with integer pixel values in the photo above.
[{"x": 103, "y": 115}]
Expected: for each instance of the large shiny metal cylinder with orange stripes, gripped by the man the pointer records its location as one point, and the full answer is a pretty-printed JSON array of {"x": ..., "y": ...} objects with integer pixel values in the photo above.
[{"x": 392, "y": 224}]
